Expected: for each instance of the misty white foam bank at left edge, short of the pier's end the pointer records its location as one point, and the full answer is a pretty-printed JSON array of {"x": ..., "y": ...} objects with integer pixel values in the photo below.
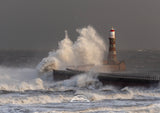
[{"x": 19, "y": 79}]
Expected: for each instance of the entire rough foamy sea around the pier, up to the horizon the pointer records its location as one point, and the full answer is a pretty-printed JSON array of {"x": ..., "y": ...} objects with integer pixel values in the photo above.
[{"x": 23, "y": 90}]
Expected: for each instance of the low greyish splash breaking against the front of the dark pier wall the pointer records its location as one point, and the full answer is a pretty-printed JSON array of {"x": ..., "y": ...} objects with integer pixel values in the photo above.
[{"x": 85, "y": 80}]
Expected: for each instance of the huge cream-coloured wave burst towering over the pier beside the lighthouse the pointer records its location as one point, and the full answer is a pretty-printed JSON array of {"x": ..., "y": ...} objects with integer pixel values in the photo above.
[{"x": 89, "y": 48}]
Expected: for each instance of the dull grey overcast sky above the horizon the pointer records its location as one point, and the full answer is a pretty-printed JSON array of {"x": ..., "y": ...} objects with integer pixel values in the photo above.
[{"x": 40, "y": 24}]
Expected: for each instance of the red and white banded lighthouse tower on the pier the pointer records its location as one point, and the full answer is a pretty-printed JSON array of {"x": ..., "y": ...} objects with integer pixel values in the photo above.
[{"x": 112, "y": 56}]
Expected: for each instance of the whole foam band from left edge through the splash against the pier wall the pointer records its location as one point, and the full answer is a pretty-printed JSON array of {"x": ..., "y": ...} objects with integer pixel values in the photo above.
[{"x": 21, "y": 79}]
